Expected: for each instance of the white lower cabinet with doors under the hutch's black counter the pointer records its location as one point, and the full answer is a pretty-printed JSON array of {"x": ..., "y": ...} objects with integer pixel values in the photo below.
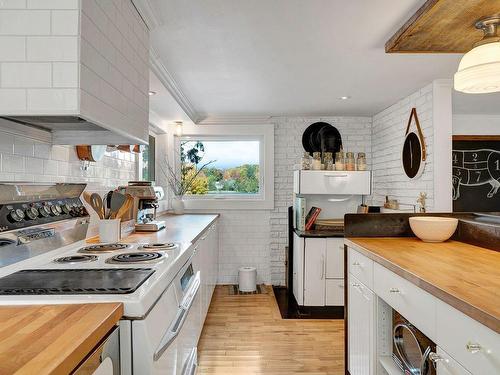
[{"x": 318, "y": 271}]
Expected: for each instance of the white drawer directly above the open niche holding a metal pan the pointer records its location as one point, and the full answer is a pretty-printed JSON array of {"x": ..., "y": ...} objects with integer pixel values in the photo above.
[{"x": 415, "y": 304}]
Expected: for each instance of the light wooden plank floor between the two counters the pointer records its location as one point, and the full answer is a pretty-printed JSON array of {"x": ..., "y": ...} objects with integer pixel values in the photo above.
[{"x": 246, "y": 335}]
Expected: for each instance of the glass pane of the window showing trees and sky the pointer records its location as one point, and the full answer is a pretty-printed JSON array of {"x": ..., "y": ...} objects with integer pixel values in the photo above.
[{"x": 221, "y": 167}]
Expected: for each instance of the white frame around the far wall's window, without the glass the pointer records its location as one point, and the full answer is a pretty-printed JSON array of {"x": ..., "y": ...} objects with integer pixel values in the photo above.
[{"x": 262, "y": 133}]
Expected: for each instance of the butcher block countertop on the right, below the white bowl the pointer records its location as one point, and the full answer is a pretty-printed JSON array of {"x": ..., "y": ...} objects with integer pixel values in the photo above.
[{"x": 464, "y": 276}]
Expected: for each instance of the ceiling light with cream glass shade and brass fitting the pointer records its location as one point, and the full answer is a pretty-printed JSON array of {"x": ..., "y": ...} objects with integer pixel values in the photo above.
[{"x": 479, "y": 69}]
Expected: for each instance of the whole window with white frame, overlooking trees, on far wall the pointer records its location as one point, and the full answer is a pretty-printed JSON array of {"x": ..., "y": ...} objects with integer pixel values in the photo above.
[{"x": 231, "y": 166}]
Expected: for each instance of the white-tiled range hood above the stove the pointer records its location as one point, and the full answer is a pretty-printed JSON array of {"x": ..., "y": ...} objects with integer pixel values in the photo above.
[{"x": 80, "y": 71}]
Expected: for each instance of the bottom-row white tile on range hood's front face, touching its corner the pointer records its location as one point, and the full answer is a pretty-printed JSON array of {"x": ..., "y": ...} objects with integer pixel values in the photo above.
[{"x": 52, "y": 100}]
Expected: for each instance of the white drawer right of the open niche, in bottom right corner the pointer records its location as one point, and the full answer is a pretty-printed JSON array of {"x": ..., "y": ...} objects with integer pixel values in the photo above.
[{"x": 456, "y": 333}]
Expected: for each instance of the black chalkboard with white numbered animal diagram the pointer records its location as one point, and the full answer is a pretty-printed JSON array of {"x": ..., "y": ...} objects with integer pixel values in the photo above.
[{"x": 476, "y": 173}]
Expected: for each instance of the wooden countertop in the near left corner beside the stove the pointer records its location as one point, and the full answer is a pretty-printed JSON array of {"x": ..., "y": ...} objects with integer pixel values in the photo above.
[{"x": 52, "y": 339}]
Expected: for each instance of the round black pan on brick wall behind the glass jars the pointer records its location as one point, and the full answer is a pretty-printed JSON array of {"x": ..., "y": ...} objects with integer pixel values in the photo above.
[{"x": 321, "y": 137}]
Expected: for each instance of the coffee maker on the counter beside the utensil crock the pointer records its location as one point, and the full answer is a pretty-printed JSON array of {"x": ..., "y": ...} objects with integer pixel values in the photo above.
[{"x": 146, "y": 197}]
